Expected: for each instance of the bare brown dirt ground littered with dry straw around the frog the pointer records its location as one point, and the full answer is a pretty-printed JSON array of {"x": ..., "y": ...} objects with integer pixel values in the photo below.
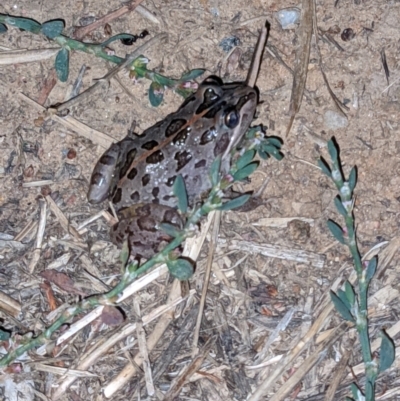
[{"x": 258, "y": 293}]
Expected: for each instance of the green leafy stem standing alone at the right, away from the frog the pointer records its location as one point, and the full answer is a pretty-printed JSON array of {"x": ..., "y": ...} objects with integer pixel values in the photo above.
[{"x": 352, "y": 305}]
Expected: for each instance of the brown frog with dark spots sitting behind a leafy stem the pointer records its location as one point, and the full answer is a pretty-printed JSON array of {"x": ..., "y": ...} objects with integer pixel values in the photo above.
[{"x": 142, "y": 169}]
